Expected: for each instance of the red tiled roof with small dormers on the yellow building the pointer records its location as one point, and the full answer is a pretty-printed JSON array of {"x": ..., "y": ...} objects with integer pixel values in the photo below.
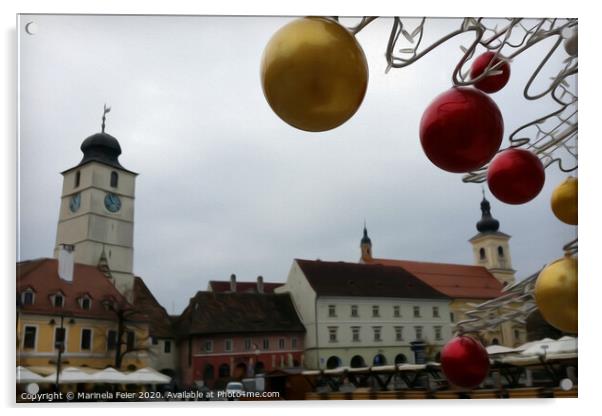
[{"x": 42, "y": 276}]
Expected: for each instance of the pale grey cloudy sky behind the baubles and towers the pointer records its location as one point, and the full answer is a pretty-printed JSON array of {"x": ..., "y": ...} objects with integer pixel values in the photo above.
[{"x": 225, "y": 186}]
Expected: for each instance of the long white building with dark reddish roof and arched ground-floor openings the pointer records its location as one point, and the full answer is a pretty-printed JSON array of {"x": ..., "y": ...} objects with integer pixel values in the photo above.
[{"x": 361, "y": 315}]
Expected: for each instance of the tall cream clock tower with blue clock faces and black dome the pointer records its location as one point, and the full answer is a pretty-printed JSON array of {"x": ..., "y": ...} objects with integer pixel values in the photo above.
[{"x": 97, "y": 210}]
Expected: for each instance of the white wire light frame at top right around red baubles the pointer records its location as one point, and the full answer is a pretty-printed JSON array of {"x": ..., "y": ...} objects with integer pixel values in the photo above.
[{"x": 552, "y": 137}]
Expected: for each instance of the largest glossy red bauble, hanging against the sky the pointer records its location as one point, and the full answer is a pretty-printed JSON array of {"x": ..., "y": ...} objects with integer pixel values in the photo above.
[{"x": 461, "y": 130}]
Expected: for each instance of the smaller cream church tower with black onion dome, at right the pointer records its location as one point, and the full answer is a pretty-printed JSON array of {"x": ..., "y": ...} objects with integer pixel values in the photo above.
[{"x": 490, "y": 247}]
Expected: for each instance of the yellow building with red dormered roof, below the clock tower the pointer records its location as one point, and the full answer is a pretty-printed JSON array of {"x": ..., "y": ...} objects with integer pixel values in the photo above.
[{"x": 80, "y": 317}]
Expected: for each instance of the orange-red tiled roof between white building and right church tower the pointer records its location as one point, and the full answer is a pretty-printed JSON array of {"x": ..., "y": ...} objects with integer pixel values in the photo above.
[{"x": 455, "y": 280}]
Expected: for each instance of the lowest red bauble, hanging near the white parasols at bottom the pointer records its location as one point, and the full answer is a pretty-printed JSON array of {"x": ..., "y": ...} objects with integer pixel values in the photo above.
[{"x": 465, "y": 361}]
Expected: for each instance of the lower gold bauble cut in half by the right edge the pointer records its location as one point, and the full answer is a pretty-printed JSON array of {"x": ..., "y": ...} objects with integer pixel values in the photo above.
[{"x": 556, "y": 294}]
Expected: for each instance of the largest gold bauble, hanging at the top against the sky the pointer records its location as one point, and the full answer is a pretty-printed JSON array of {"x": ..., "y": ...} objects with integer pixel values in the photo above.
[{"x": 314, "y": 74}]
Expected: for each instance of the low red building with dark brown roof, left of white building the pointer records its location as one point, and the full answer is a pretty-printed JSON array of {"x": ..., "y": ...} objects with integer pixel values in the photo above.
[{"x": 226, "y": 336}]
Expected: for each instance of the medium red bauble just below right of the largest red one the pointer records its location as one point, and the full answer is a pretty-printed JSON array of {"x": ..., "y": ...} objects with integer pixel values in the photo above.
[{"x": 516, "y": 176}]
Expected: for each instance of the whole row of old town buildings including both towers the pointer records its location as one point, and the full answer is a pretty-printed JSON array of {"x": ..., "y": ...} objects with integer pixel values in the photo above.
[{"x": 85, "y": 307}]
